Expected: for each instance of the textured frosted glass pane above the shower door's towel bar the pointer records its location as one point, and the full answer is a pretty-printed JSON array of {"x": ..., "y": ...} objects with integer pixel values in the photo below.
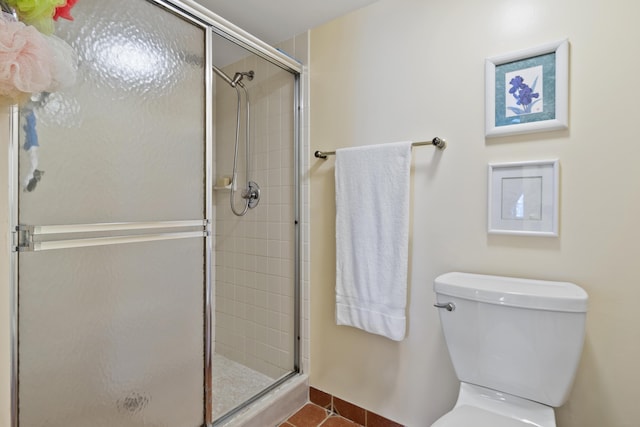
[{"x": 126, "y": 141}]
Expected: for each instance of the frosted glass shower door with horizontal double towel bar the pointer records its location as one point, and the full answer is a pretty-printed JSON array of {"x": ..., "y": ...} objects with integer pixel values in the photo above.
[{"x": 113, "y": 236}]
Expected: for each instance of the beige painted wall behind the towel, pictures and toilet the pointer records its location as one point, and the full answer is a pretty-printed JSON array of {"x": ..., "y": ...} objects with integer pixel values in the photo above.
[{"x": 414, "y": 69}]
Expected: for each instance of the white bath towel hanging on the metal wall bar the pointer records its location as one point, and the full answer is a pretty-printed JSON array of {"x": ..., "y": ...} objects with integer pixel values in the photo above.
[{"x": 372, "y": 237}]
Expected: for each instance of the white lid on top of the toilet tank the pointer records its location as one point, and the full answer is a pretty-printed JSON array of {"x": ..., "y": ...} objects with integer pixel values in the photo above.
[{"x": 511, "y": 291}]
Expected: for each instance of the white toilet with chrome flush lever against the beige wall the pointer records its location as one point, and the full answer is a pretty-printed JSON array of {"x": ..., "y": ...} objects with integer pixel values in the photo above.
[{"x": 515, "y": 345}]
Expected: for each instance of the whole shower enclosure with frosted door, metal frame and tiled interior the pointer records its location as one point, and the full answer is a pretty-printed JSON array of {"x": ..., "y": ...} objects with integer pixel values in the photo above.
[{"x": 140, "y": 298}]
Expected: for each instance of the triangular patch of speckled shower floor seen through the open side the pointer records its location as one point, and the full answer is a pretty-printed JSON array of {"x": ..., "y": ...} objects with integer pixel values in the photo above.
[{"x": 233, "y": 383}]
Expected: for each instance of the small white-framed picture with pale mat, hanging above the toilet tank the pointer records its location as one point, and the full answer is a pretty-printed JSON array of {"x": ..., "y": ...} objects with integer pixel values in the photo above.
[{"x": 523, "y": 198}]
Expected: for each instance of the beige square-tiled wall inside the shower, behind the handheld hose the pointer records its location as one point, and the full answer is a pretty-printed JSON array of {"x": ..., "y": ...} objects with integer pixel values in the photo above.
[{"x": 254, "y": 254}]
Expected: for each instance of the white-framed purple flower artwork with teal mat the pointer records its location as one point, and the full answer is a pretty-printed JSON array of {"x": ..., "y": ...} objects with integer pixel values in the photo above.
[{"x": 528, "y": 91}]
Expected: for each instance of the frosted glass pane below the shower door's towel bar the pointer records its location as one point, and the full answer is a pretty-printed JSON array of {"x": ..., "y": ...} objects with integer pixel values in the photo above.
[{"x": 112, "y": 336}]
